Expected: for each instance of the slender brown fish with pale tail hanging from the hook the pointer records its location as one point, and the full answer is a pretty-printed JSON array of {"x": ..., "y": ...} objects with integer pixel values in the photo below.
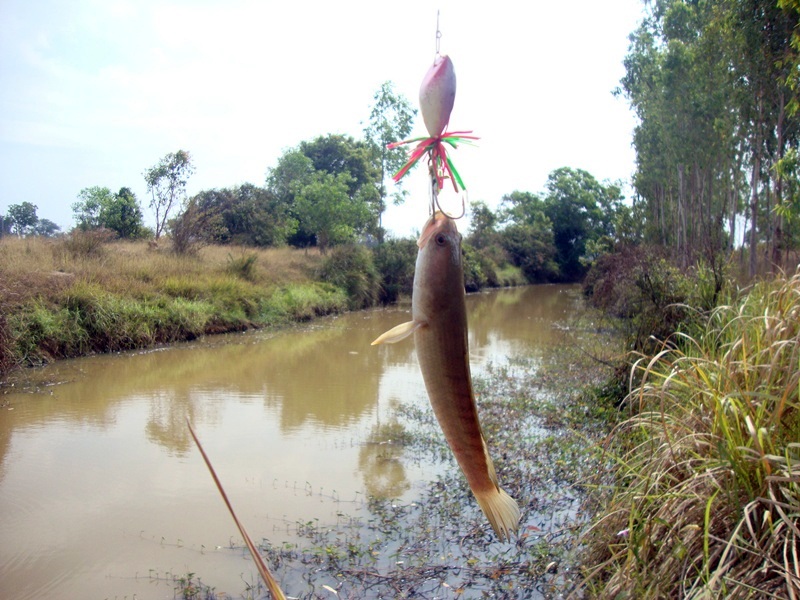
[{"x": 439, "y": 327}]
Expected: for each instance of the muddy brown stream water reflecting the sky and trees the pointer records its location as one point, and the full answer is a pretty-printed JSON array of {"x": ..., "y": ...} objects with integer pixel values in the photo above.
[{"x": 103, "y": 495}]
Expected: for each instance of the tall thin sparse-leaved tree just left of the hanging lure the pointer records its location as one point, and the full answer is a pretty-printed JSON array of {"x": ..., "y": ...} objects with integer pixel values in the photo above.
[{"x": 391, "y": 120}]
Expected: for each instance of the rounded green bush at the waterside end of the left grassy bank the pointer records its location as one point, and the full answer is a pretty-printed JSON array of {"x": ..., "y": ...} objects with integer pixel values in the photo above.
[{"x": 351, "y": 268}]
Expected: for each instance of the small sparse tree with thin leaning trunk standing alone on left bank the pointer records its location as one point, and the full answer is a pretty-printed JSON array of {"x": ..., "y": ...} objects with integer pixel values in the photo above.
[{"x": 166, "y": 183}]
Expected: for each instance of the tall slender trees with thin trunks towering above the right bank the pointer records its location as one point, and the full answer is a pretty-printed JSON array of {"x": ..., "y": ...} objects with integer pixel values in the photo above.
[{"x": 714, "y": 85}]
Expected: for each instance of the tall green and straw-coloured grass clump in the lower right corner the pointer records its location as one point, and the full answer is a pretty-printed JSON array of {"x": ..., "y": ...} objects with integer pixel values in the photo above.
[{"x": 705, "y": 500}]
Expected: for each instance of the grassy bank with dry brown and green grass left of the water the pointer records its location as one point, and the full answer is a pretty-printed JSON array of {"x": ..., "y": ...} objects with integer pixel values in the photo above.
[{"x": 64, "y": 298}]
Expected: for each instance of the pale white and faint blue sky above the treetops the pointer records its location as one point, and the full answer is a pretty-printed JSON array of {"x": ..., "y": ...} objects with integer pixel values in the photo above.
[{"x": 93, "y": 92}]
